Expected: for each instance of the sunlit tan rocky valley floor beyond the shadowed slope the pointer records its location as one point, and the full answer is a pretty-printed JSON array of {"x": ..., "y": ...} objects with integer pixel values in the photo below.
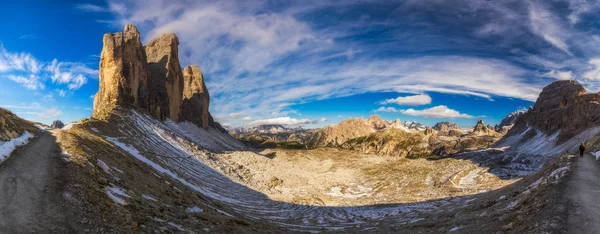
[{"x": 336, "y": 177}]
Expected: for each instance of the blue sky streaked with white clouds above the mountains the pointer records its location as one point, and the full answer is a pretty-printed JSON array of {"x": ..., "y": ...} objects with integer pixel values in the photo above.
[{"x": 312, "y": 63}]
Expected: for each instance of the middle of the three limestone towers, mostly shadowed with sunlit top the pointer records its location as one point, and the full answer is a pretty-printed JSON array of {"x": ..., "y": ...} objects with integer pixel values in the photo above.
[{"x": 166, "y": 82}]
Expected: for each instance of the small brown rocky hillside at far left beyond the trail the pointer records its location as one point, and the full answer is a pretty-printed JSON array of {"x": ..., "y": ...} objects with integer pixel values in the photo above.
[{"x": 11, "y": 126}]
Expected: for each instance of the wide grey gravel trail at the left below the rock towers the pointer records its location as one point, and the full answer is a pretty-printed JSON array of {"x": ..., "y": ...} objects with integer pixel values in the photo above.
[{"x": 33, "y": 197}]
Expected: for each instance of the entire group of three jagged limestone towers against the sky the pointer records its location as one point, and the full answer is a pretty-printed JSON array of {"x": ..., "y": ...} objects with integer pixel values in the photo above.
[{"x": 150, "y": 79}]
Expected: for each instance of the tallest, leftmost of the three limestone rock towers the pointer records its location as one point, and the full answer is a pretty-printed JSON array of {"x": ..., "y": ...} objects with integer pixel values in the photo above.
[{"x": 123, "y": 73}]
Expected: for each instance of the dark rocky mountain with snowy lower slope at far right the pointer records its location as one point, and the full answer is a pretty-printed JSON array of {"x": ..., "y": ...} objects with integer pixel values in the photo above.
[{"x": 564, "y": 115}]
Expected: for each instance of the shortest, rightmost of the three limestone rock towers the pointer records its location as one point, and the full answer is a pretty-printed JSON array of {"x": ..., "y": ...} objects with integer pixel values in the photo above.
[{"x": 195, "y": 97}]
